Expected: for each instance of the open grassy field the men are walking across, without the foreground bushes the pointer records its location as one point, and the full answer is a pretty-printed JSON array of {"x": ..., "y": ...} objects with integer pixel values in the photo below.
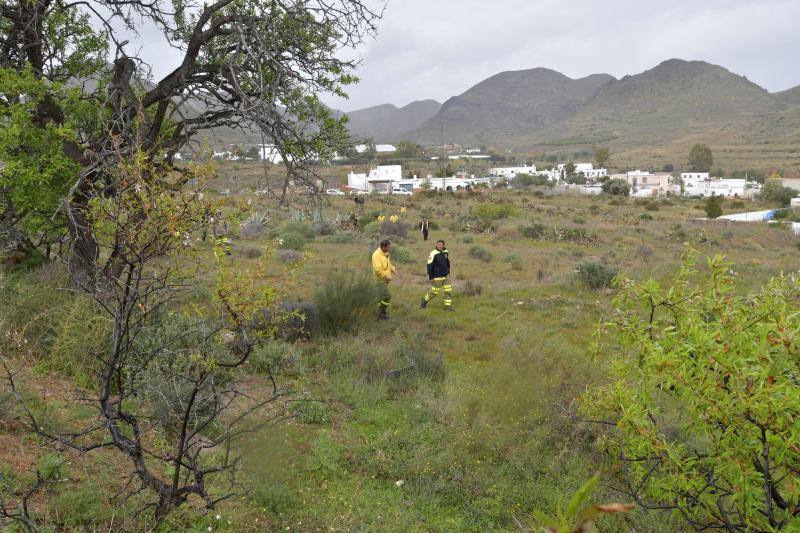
[{"x": 477, "y": 435}]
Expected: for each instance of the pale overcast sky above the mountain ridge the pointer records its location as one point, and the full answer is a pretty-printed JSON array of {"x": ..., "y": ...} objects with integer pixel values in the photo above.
[{"x": 440, "y": 48}]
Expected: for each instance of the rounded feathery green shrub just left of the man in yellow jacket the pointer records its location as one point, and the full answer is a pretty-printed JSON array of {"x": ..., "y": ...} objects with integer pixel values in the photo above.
[{"x": 344, "y": 301}]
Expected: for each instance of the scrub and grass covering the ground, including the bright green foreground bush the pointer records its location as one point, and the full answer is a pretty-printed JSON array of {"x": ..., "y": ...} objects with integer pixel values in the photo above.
[{"x": 493, "y": 417}]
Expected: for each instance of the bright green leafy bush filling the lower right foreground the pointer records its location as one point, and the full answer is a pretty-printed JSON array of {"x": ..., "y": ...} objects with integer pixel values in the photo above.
[{"x": 704, "y": 391}]
